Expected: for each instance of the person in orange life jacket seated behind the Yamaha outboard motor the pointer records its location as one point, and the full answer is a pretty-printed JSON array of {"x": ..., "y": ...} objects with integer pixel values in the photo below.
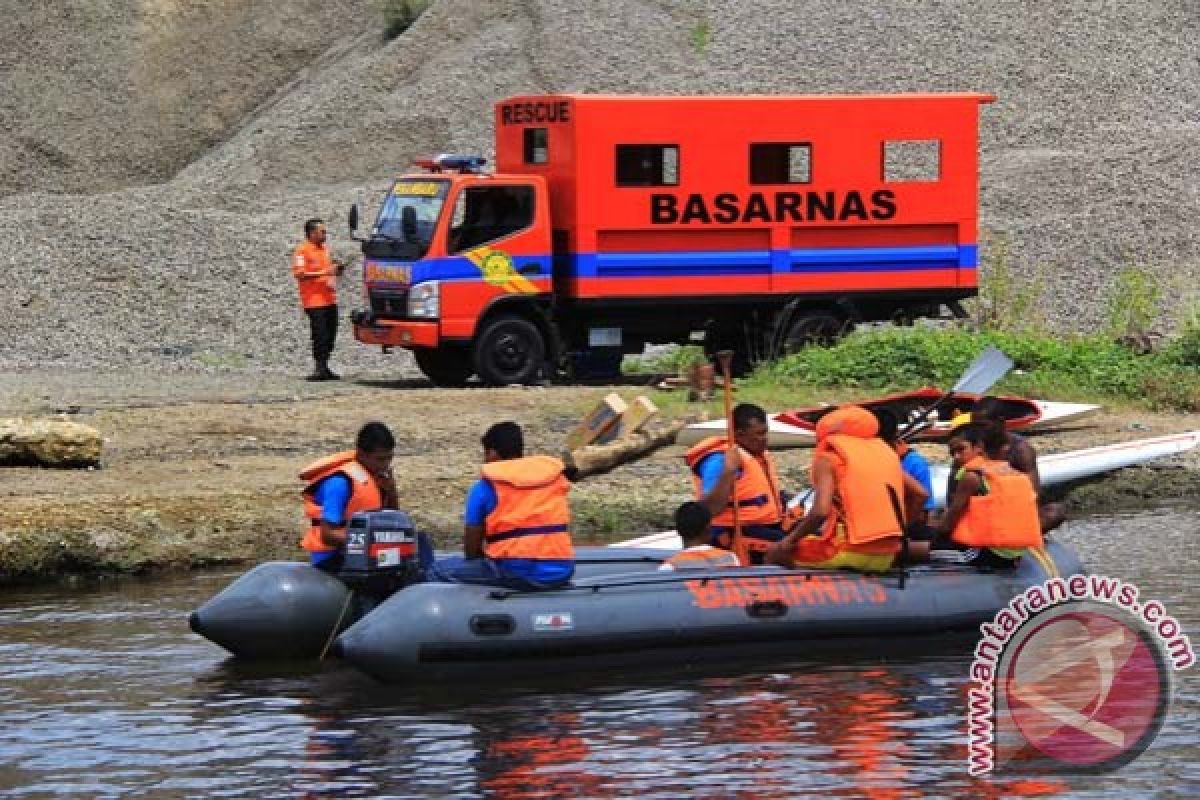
[{"x": 343, "y": 485}]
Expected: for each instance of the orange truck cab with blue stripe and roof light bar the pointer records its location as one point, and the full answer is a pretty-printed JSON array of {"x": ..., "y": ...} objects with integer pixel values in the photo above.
[{"x": 458, "y": 269}]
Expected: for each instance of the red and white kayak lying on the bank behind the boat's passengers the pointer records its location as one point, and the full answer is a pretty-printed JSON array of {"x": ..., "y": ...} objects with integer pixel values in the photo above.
[{"x": 796, "y": 429}]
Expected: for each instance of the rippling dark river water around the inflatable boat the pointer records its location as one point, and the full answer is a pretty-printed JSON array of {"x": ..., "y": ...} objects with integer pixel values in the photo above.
[{"x": 106, "y": 694}]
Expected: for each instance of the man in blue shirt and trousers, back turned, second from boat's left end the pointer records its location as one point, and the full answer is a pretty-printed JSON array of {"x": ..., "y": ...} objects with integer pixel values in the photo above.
[{"x": 517, "y": 530}]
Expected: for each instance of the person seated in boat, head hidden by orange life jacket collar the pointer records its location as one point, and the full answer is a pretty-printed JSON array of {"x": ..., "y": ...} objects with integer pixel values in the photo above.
[{"x": 861, "y": 501}]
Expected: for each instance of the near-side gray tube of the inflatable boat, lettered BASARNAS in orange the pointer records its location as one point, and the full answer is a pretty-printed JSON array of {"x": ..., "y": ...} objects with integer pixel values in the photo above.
[{"x": 607, "y": 622}]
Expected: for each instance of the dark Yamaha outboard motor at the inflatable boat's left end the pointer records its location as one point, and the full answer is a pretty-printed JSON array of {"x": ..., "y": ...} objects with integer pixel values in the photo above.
[{"x": 381, "y": 554}]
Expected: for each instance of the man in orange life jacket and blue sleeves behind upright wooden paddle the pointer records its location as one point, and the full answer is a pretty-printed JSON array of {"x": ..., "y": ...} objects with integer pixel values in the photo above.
[{"x": 745, "y": 476}]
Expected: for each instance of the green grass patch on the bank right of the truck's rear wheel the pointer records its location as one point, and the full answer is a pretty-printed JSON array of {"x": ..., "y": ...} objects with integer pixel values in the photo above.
[{"x": 1060, "y": 368}]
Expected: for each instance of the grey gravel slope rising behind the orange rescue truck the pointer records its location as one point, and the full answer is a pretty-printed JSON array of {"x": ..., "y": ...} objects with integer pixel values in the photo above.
[{"x": 1089, "y": 157}]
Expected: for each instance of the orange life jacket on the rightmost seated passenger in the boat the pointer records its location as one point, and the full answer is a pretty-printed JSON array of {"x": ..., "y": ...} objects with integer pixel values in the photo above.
[{"x": 1007, "y": 516}]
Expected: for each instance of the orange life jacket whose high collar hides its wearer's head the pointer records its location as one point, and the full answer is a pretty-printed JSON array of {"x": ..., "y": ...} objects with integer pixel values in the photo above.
[{"x": 868, "y": 489}]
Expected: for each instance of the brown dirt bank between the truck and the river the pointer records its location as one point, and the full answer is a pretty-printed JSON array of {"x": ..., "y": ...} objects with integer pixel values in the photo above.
[{"x": 201, "y": 468}]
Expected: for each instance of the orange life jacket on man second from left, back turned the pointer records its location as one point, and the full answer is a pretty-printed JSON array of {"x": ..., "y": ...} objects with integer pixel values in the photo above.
[{"x": 532, "y": 519}]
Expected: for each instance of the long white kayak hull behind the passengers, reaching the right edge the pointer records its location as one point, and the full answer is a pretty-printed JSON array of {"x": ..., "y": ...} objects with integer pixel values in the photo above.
[{"x": 1054, "y": 468}]
